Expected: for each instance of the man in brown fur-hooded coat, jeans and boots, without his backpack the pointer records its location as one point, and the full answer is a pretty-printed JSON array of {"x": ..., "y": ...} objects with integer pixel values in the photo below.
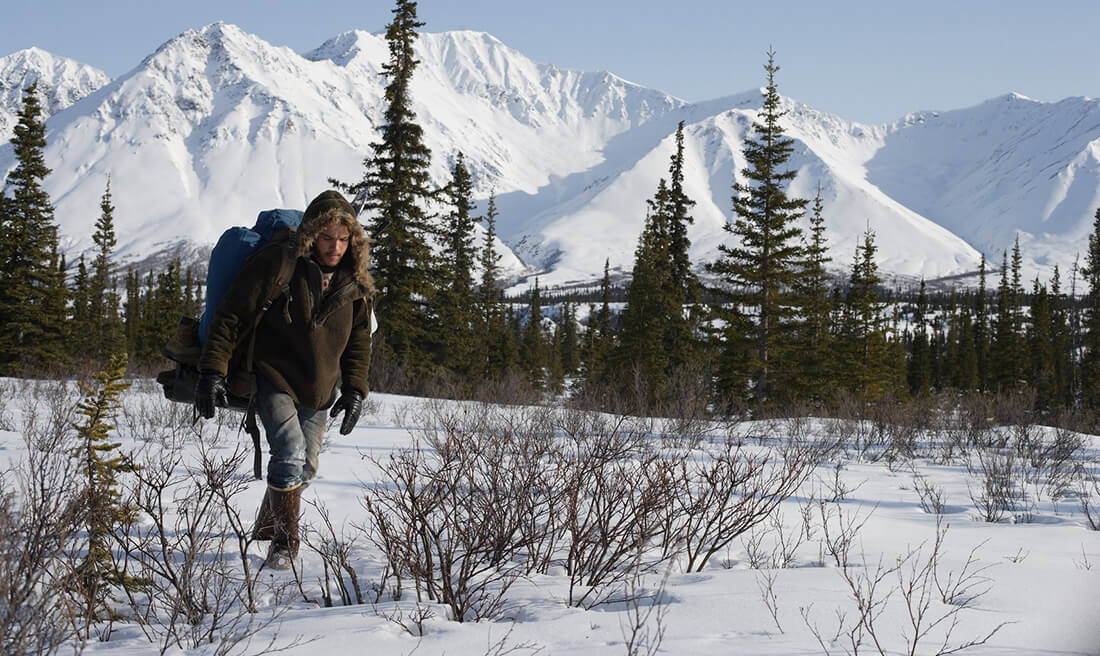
[{"x": 314, "y": 337}]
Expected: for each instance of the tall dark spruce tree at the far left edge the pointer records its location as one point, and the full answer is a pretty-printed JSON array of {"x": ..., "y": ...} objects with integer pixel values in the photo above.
[{"x": 32, "y": 289}]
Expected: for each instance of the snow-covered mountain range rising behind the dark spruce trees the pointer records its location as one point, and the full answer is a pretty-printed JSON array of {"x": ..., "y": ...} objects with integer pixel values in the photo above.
[{"x": 218, "y": 124}]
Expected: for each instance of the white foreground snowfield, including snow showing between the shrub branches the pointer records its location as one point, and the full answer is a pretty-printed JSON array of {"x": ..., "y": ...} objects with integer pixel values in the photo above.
[{"x": 862, "y": 522}]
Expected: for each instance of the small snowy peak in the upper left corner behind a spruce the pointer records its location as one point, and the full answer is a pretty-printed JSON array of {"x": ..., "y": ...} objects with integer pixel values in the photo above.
[{"x": 62, "y": 83}]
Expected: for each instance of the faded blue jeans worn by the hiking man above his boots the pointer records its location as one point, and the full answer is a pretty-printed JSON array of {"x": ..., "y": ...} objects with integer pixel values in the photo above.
[{"x": 294, "y": 436}]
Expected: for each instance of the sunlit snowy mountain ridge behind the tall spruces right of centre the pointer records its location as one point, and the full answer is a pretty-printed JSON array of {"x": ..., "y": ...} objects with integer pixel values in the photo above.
[{"x": 604, "y": 218}]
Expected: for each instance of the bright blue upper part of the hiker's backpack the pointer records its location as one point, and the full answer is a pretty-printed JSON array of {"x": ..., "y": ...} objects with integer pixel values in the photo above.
[{"x": 234, "y": 248}]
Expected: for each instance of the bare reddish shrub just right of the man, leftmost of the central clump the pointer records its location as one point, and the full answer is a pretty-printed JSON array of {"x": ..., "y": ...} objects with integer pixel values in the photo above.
[{"x": 450, "y": 517}]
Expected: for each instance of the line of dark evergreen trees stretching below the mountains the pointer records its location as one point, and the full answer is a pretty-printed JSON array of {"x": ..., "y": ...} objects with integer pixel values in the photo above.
[{"x": 767, "y": 323}]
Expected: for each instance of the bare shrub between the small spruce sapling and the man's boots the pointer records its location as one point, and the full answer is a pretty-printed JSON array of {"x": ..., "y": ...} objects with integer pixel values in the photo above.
[{"x": 184, "y": 546}]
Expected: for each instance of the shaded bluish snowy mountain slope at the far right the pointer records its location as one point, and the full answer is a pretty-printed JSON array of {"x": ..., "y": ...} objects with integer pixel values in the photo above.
[{"x": 1009, "y": 165}]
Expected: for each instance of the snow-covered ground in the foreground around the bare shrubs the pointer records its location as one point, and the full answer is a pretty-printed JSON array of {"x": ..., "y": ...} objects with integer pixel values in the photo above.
[{"x": 1037, "y": 573}]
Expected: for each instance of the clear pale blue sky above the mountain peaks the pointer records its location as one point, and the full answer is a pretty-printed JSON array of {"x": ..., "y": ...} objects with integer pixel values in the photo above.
[{"x": 871, "y": 61}]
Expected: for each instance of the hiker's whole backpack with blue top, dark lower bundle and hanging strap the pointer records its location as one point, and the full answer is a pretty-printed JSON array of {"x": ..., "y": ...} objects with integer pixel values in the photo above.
[{"x": 274, "y": 228}]
